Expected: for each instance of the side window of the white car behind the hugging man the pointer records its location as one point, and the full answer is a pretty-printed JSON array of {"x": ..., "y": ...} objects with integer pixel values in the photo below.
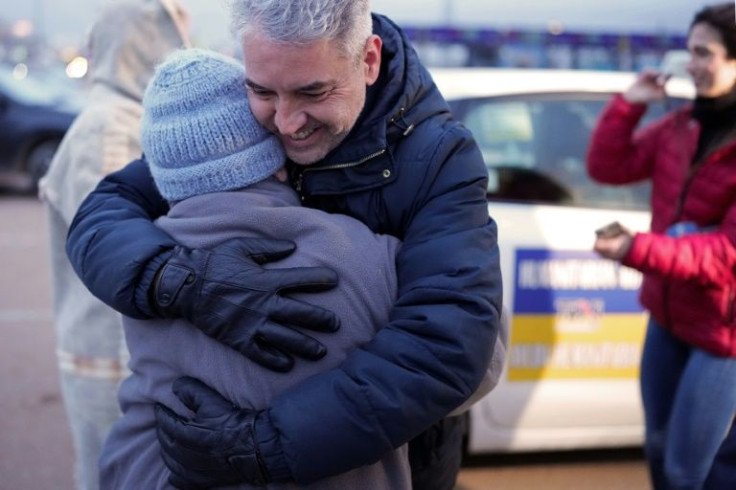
[{"x": 534, "y": 147}]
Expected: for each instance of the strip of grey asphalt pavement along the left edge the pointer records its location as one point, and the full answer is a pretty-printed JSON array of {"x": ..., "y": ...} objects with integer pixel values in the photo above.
[{"x": 35, "y": 443}]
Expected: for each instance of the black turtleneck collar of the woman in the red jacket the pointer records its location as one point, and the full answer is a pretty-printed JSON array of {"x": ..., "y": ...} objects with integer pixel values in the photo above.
[{"x": 717, "y": 118}]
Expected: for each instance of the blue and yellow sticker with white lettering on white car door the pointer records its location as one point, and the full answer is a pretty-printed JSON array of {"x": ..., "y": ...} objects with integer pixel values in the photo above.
[{"x": 575, "y": 316}]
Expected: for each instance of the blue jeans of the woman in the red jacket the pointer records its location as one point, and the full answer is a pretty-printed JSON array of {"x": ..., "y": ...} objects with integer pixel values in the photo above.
[{"x": 689, "y": 399}]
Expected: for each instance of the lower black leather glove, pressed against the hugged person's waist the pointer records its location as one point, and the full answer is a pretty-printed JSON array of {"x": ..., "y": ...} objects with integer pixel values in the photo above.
[{"x": 216, "y": 448}]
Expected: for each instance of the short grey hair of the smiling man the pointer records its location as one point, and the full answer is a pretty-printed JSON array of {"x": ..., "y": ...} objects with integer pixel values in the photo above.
[{"x": 304, "y": 22}]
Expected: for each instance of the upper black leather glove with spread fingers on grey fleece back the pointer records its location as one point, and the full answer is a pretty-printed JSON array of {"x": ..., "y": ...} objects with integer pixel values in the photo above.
[{"x": 225, "y": 293}]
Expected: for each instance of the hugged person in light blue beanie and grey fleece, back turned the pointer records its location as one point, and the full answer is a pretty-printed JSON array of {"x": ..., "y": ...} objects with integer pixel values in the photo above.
[{"x": 223, "y": 173}]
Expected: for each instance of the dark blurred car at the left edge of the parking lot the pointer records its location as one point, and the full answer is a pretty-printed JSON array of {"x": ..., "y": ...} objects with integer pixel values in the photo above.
[{"x": 34, "y": 116}]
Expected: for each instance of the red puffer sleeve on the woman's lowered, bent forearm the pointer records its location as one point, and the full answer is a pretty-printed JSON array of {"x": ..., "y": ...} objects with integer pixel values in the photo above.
[{"x": 707, "y": 258}]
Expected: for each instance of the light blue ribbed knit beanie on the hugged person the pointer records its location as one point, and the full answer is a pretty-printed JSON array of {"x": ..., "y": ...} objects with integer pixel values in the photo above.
[{"x": 198, "y": 132}]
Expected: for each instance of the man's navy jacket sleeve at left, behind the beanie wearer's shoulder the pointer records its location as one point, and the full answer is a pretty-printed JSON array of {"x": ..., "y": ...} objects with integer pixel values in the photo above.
[{"x": 113, "y": 244}]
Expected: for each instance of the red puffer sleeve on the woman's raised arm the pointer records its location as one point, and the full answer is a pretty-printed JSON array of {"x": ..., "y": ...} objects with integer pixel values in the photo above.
[{"x": 617, "y": 154}]
